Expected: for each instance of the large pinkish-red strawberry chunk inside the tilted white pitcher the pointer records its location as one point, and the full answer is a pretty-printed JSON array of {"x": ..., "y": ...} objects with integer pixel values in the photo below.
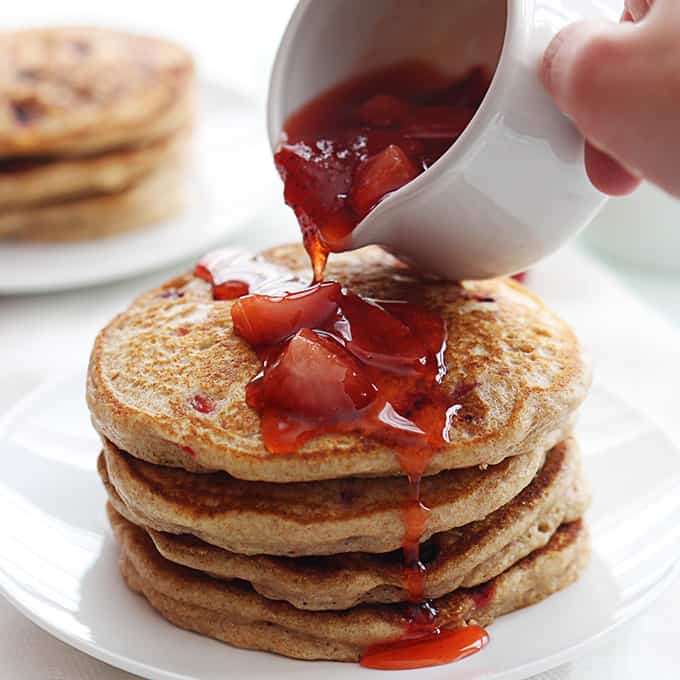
[{"x": 379, "y": 175}]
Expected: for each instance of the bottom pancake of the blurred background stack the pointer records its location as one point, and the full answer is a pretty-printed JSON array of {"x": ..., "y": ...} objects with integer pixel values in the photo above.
[{"x": 157, "y": 196}]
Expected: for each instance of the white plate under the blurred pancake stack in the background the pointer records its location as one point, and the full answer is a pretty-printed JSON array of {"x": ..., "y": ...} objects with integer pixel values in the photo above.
[{"x": 230, "y": 160}]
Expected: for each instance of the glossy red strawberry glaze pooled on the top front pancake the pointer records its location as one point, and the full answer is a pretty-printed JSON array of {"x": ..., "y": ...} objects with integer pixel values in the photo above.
[{"x": 348, "y": 365}]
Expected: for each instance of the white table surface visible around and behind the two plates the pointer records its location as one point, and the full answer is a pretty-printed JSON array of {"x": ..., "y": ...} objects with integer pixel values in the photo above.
[{"x": 635, "y": 343}]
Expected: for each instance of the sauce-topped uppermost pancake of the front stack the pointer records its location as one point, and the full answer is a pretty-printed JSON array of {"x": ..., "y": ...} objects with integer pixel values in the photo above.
[{"x": 522, "y": 369}]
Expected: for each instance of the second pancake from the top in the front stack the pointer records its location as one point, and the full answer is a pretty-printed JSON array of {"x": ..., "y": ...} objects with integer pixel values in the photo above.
[{"x": 307, "y": 518}]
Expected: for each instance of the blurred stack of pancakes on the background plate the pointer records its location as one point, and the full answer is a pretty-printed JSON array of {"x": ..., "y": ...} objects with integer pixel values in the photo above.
[{"x": 94, "y": 128}]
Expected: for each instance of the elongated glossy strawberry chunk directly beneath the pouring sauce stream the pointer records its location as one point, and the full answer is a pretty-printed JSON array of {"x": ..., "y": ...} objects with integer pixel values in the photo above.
[{"x": 264, "y": 320}]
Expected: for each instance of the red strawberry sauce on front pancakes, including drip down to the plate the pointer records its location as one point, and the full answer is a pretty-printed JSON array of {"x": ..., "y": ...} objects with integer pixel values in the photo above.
[{"x": 333, "y": 361}]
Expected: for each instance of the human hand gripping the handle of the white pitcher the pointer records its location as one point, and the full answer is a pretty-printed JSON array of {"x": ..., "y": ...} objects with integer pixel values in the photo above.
[{"x": 620, "y": 84}]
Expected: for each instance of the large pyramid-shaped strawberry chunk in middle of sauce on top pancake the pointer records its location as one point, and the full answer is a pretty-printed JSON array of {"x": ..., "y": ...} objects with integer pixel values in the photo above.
[{"x": 315, "y": 377}]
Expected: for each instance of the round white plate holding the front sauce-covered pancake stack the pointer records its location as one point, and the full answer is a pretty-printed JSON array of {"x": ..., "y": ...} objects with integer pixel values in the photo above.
[{"x": 58, "y": 561}]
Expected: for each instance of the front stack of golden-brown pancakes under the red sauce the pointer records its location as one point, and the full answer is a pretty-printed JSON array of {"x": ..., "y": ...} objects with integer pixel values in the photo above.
[{"x": 299, "y": 553}]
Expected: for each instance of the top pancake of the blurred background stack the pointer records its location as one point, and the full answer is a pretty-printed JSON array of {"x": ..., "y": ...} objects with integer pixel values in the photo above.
[{"x": 80, "y": 90}]
